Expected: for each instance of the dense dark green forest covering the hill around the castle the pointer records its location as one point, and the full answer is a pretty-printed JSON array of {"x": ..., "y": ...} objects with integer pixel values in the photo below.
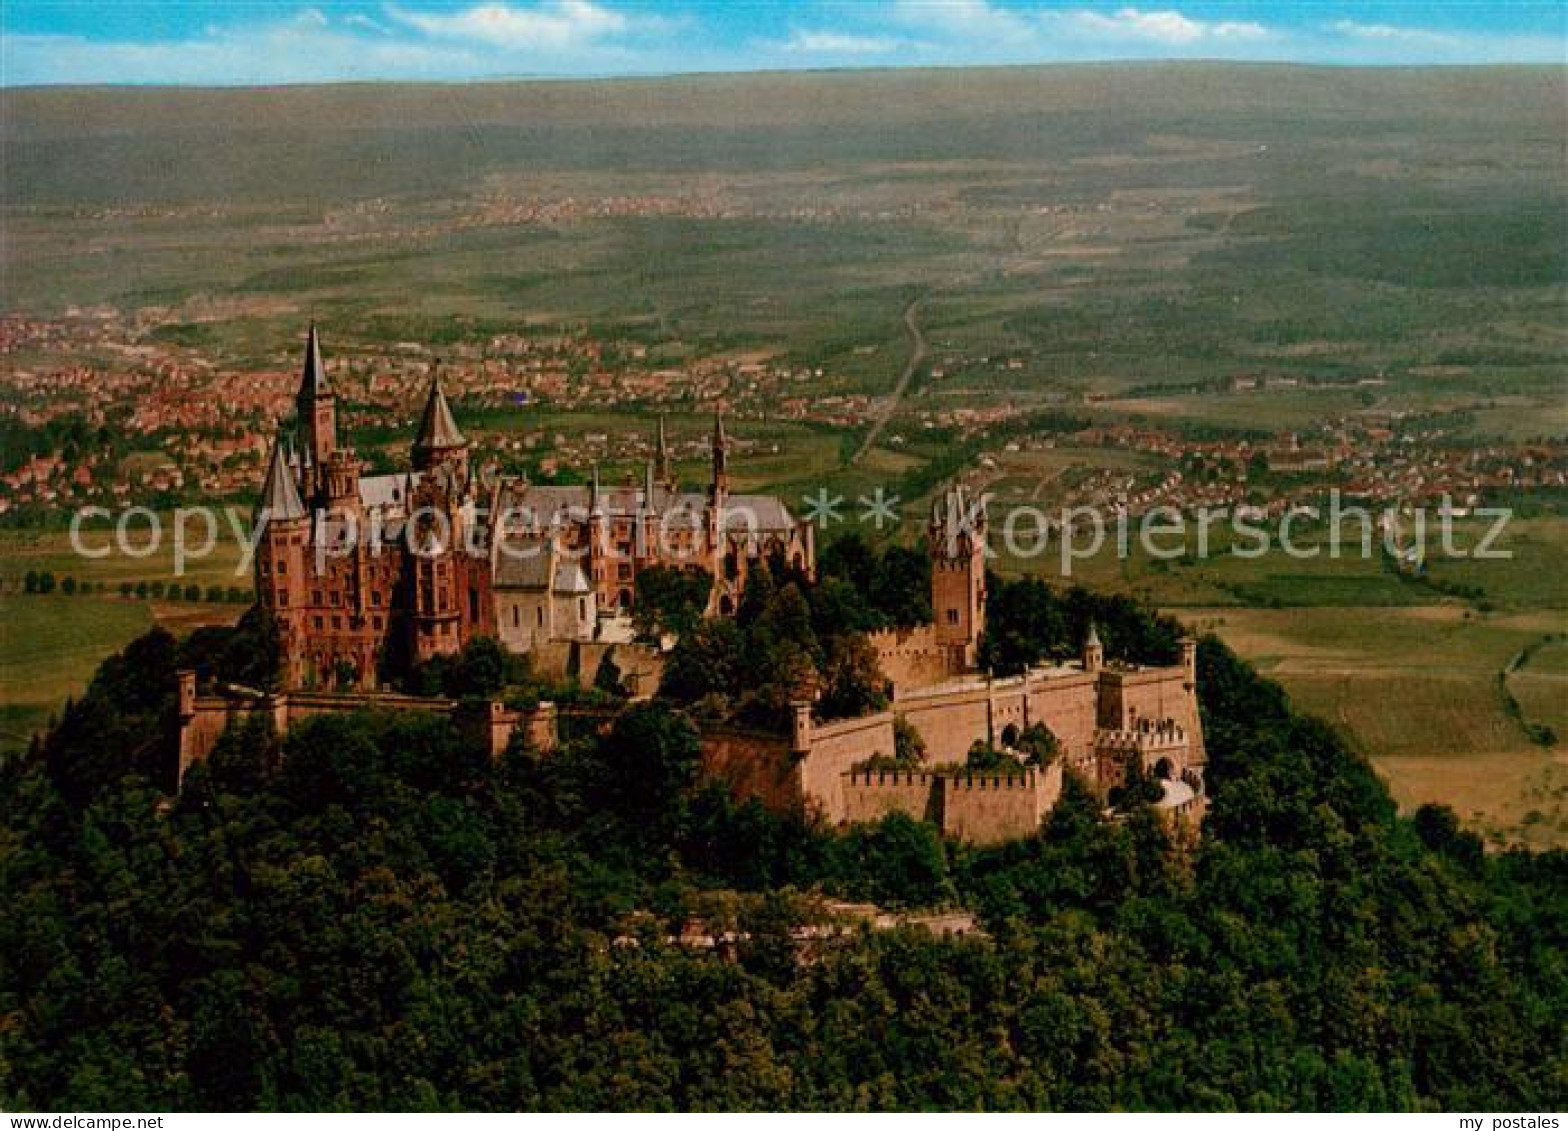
[{"x": 371, "y": 914}]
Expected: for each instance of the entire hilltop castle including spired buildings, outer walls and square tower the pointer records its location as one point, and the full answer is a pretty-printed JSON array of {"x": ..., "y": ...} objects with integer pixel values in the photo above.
[{"x": 372, "y": 575}]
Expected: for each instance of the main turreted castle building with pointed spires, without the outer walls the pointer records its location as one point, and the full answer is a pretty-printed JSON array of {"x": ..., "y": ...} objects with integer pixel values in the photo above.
[{"x": 372, "y": 575}]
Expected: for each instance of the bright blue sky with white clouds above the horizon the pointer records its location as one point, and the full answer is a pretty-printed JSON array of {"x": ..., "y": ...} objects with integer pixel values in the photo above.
[{"x": 289, "y": 42}]
